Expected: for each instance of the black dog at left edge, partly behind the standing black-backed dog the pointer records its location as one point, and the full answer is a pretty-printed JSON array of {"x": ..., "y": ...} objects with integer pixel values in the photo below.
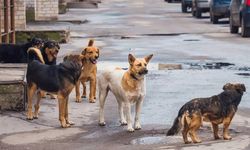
[{"x": 16, "y": 53}]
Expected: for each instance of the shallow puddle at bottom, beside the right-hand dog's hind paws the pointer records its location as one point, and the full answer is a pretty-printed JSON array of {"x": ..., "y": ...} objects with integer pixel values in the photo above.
[{"x": 159, "y": 139}]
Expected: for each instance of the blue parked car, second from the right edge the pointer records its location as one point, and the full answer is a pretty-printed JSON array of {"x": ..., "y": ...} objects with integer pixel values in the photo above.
[{"x": 219, "y": 9}]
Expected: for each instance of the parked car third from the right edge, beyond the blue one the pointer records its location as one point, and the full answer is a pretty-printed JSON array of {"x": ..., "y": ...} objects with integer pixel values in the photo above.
[{"x": 199, "y": 7}]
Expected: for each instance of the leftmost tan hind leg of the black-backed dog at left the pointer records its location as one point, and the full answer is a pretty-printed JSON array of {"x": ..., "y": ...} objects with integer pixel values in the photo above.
[{"x": 31, "y": 91}]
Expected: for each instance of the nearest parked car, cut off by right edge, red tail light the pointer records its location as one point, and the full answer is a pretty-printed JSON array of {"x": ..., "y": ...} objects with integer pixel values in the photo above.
[{"x": 240, "y": 17}]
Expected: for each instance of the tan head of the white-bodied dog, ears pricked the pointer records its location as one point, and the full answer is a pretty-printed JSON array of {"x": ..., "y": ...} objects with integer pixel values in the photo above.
[{"x": 138, "y": 66}]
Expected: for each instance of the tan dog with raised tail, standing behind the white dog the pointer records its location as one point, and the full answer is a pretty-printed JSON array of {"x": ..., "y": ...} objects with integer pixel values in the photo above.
[{"x": 91, "y": 54}]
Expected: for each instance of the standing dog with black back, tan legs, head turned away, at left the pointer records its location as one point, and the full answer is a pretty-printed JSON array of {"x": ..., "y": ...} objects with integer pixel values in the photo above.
[{"x": 58, "y": 79}]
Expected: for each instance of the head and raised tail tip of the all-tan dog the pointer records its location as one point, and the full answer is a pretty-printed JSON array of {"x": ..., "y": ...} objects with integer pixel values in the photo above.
[{"x": 91, "y": 52}]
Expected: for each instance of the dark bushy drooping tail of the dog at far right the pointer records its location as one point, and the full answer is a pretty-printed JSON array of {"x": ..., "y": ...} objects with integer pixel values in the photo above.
[{"x": 178, "y": 122}]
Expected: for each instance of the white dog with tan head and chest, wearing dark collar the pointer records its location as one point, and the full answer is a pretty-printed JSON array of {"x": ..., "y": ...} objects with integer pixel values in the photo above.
[{"x": 128, "y": 86}]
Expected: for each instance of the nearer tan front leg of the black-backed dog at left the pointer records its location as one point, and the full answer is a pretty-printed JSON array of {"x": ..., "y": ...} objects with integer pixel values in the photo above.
[{"x": 62, "y": 105}]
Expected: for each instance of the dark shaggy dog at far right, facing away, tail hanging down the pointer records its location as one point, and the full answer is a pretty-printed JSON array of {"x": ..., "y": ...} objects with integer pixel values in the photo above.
[{"x": 216, "y": 109}]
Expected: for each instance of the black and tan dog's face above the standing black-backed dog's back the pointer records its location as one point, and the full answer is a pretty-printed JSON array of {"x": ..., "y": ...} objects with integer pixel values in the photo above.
[{"x": 51, "y": 49}]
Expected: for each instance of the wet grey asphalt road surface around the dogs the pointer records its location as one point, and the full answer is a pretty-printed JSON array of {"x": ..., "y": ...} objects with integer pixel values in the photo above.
[{"x": 142, "y": 27}]
